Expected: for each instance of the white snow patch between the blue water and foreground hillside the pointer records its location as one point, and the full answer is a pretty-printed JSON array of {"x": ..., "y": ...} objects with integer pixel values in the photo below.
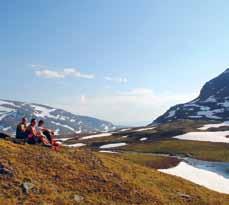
[{"x": 202, "y": 177}]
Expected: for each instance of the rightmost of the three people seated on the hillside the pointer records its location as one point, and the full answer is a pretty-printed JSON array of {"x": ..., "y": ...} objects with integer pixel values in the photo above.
[{"x": 48, "y": 134}]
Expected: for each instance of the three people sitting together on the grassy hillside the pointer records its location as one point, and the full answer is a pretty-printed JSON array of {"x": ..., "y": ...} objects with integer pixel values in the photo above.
[{"x": 34, "y": 134}]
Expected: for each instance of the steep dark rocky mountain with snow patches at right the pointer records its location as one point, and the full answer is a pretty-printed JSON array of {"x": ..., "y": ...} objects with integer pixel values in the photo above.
[{"x": 212, "y": 103}]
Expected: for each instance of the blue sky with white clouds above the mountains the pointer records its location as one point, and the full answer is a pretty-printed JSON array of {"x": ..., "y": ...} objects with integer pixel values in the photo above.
[{"x": 121, "y": 61}]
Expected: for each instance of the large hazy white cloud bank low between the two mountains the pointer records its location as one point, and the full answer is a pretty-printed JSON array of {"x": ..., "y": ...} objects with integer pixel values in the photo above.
[{"x": 131, "y": 107}]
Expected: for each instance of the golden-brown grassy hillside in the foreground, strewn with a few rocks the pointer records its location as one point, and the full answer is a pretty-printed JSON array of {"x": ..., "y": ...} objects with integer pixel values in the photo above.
[{"x": 79, "y": 176}]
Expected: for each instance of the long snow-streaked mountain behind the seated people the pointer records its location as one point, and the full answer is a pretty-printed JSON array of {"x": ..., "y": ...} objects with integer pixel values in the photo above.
[{"x": 59, "y": 120}]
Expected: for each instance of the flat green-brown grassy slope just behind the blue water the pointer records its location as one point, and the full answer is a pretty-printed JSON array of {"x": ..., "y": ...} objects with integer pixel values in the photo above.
[{"x": 200, "y": 150}]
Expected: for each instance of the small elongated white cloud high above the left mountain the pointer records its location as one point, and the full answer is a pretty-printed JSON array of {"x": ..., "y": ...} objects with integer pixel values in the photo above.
[{"x": 45, "y": 72}]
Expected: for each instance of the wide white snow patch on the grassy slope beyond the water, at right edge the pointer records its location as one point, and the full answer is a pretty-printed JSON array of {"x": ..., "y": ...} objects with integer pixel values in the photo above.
[{"x": 205, "y": 136}]
